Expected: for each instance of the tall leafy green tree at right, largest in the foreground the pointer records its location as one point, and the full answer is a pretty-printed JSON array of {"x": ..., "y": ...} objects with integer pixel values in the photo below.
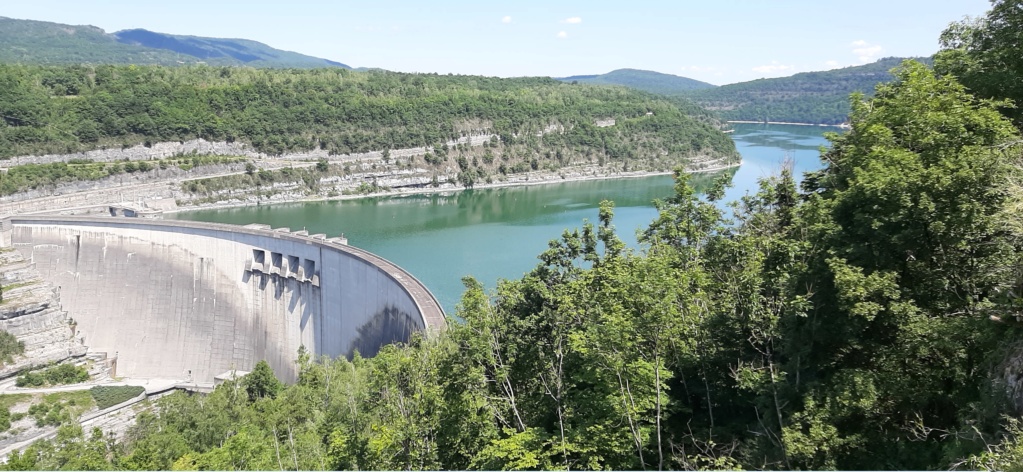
[{"x": 910, "y": 260}]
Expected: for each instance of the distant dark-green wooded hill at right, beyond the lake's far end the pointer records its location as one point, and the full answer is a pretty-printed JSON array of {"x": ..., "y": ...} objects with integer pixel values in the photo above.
[{"x": 817, "y": 98}]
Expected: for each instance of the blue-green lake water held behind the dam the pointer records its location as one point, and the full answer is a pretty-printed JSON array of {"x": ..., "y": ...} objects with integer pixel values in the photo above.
[{"x": 495, "y": 234}]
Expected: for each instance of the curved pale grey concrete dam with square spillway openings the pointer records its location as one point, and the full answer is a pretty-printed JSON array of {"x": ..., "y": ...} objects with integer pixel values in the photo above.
[{"x": 192, "y": 301}]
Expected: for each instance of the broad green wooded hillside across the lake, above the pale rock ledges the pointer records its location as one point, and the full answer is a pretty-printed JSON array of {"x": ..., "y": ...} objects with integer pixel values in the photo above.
[{"x": 69, "y": 109}]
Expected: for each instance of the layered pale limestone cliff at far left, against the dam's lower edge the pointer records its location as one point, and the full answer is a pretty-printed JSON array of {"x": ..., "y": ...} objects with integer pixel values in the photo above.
[{"x": 31, "y": 312}]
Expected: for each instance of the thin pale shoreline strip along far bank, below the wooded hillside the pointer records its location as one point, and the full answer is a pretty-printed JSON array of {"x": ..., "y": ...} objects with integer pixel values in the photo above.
[{"x": 447, "y": 189}]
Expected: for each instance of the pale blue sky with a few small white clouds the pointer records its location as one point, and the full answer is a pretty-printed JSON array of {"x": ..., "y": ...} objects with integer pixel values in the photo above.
[{"x": 718, "y": 41}]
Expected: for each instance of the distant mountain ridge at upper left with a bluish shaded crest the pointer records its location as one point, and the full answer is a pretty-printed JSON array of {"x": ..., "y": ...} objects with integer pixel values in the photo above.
[{"x": 28, "y": 41}]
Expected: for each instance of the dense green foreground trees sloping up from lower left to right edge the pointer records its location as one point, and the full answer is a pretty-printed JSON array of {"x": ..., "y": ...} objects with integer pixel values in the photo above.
[{"x": 857, "y": 324}]
